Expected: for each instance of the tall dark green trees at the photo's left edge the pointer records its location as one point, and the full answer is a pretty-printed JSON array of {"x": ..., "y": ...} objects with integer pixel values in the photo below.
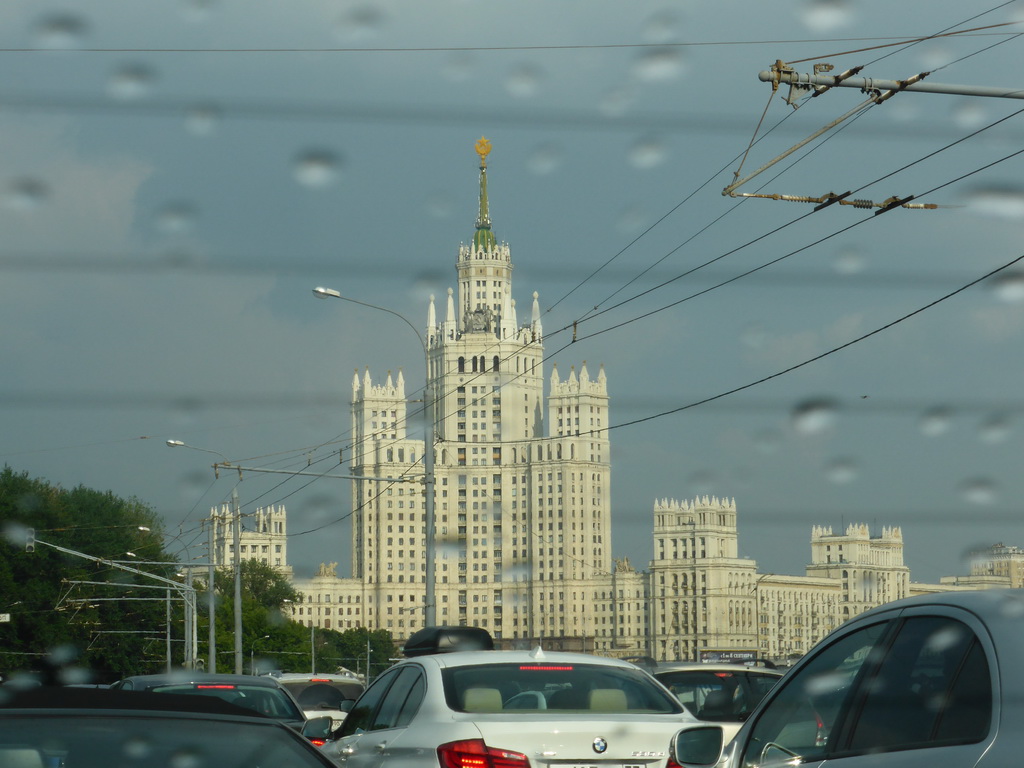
[{"x": 106, "y": 627}]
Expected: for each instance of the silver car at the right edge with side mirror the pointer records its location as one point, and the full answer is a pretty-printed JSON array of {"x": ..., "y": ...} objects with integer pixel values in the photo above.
[{"x": 927, "y": 681}]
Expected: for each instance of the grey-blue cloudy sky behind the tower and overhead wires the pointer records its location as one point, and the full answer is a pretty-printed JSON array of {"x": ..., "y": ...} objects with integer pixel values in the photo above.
[{"x": 178, "y": 176}]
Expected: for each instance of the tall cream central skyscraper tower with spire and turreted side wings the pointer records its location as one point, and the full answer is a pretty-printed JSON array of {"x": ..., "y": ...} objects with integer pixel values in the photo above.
[{"x": 523, "y": 519}]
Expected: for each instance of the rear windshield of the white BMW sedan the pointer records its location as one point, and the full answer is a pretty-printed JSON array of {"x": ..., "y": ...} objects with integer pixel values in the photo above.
[{"x": 542, "y": 687}]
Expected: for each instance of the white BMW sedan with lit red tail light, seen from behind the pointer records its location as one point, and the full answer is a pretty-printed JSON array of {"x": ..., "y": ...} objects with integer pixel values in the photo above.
[{"x": 493, "y": 709}]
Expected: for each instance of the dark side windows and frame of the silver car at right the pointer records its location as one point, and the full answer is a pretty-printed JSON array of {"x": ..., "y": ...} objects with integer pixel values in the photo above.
[{"x": 909, "y": 690}]
